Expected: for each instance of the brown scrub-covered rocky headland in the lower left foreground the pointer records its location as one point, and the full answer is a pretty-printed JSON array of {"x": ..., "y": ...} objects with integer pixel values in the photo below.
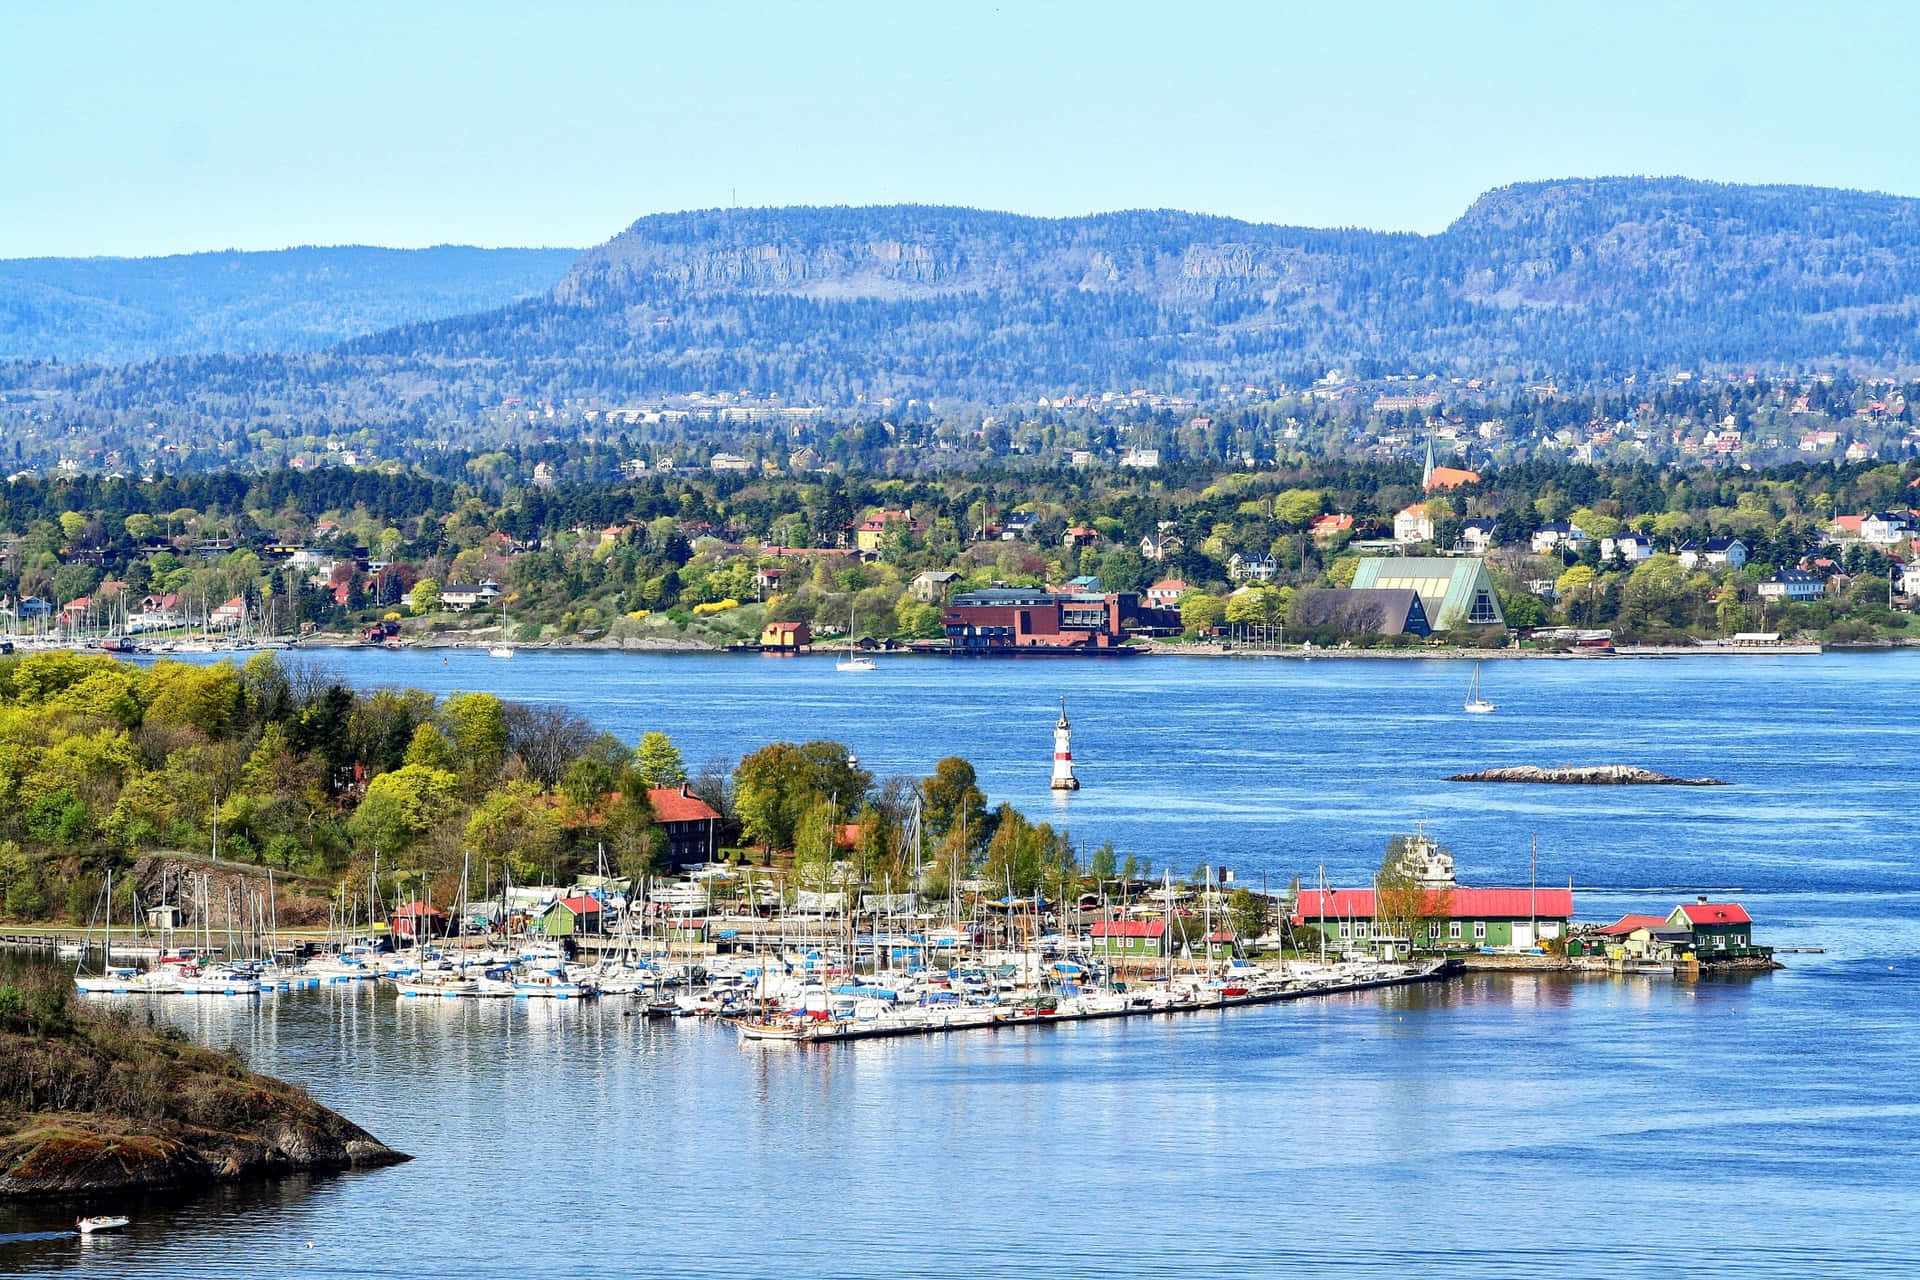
[{"x": 107, "y": 1102}]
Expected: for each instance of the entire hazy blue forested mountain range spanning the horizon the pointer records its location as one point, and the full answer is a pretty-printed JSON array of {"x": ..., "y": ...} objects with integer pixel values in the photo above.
[{"x": 827, "y": 304}]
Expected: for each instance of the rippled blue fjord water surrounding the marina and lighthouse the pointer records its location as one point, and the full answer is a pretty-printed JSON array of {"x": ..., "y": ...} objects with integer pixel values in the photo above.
[{"x": 1491, "y": 1127}]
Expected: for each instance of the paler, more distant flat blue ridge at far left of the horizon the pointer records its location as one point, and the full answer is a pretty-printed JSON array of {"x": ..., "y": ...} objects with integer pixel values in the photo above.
[{"x": 118, "y": 310}]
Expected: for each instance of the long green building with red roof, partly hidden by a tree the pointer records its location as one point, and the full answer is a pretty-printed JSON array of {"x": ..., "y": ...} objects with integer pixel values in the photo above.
[{"x": 1460, "y": 918}]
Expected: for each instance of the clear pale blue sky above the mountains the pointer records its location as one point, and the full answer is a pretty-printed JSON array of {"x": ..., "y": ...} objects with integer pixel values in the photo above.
[{"x": 172, "y": 128}]
